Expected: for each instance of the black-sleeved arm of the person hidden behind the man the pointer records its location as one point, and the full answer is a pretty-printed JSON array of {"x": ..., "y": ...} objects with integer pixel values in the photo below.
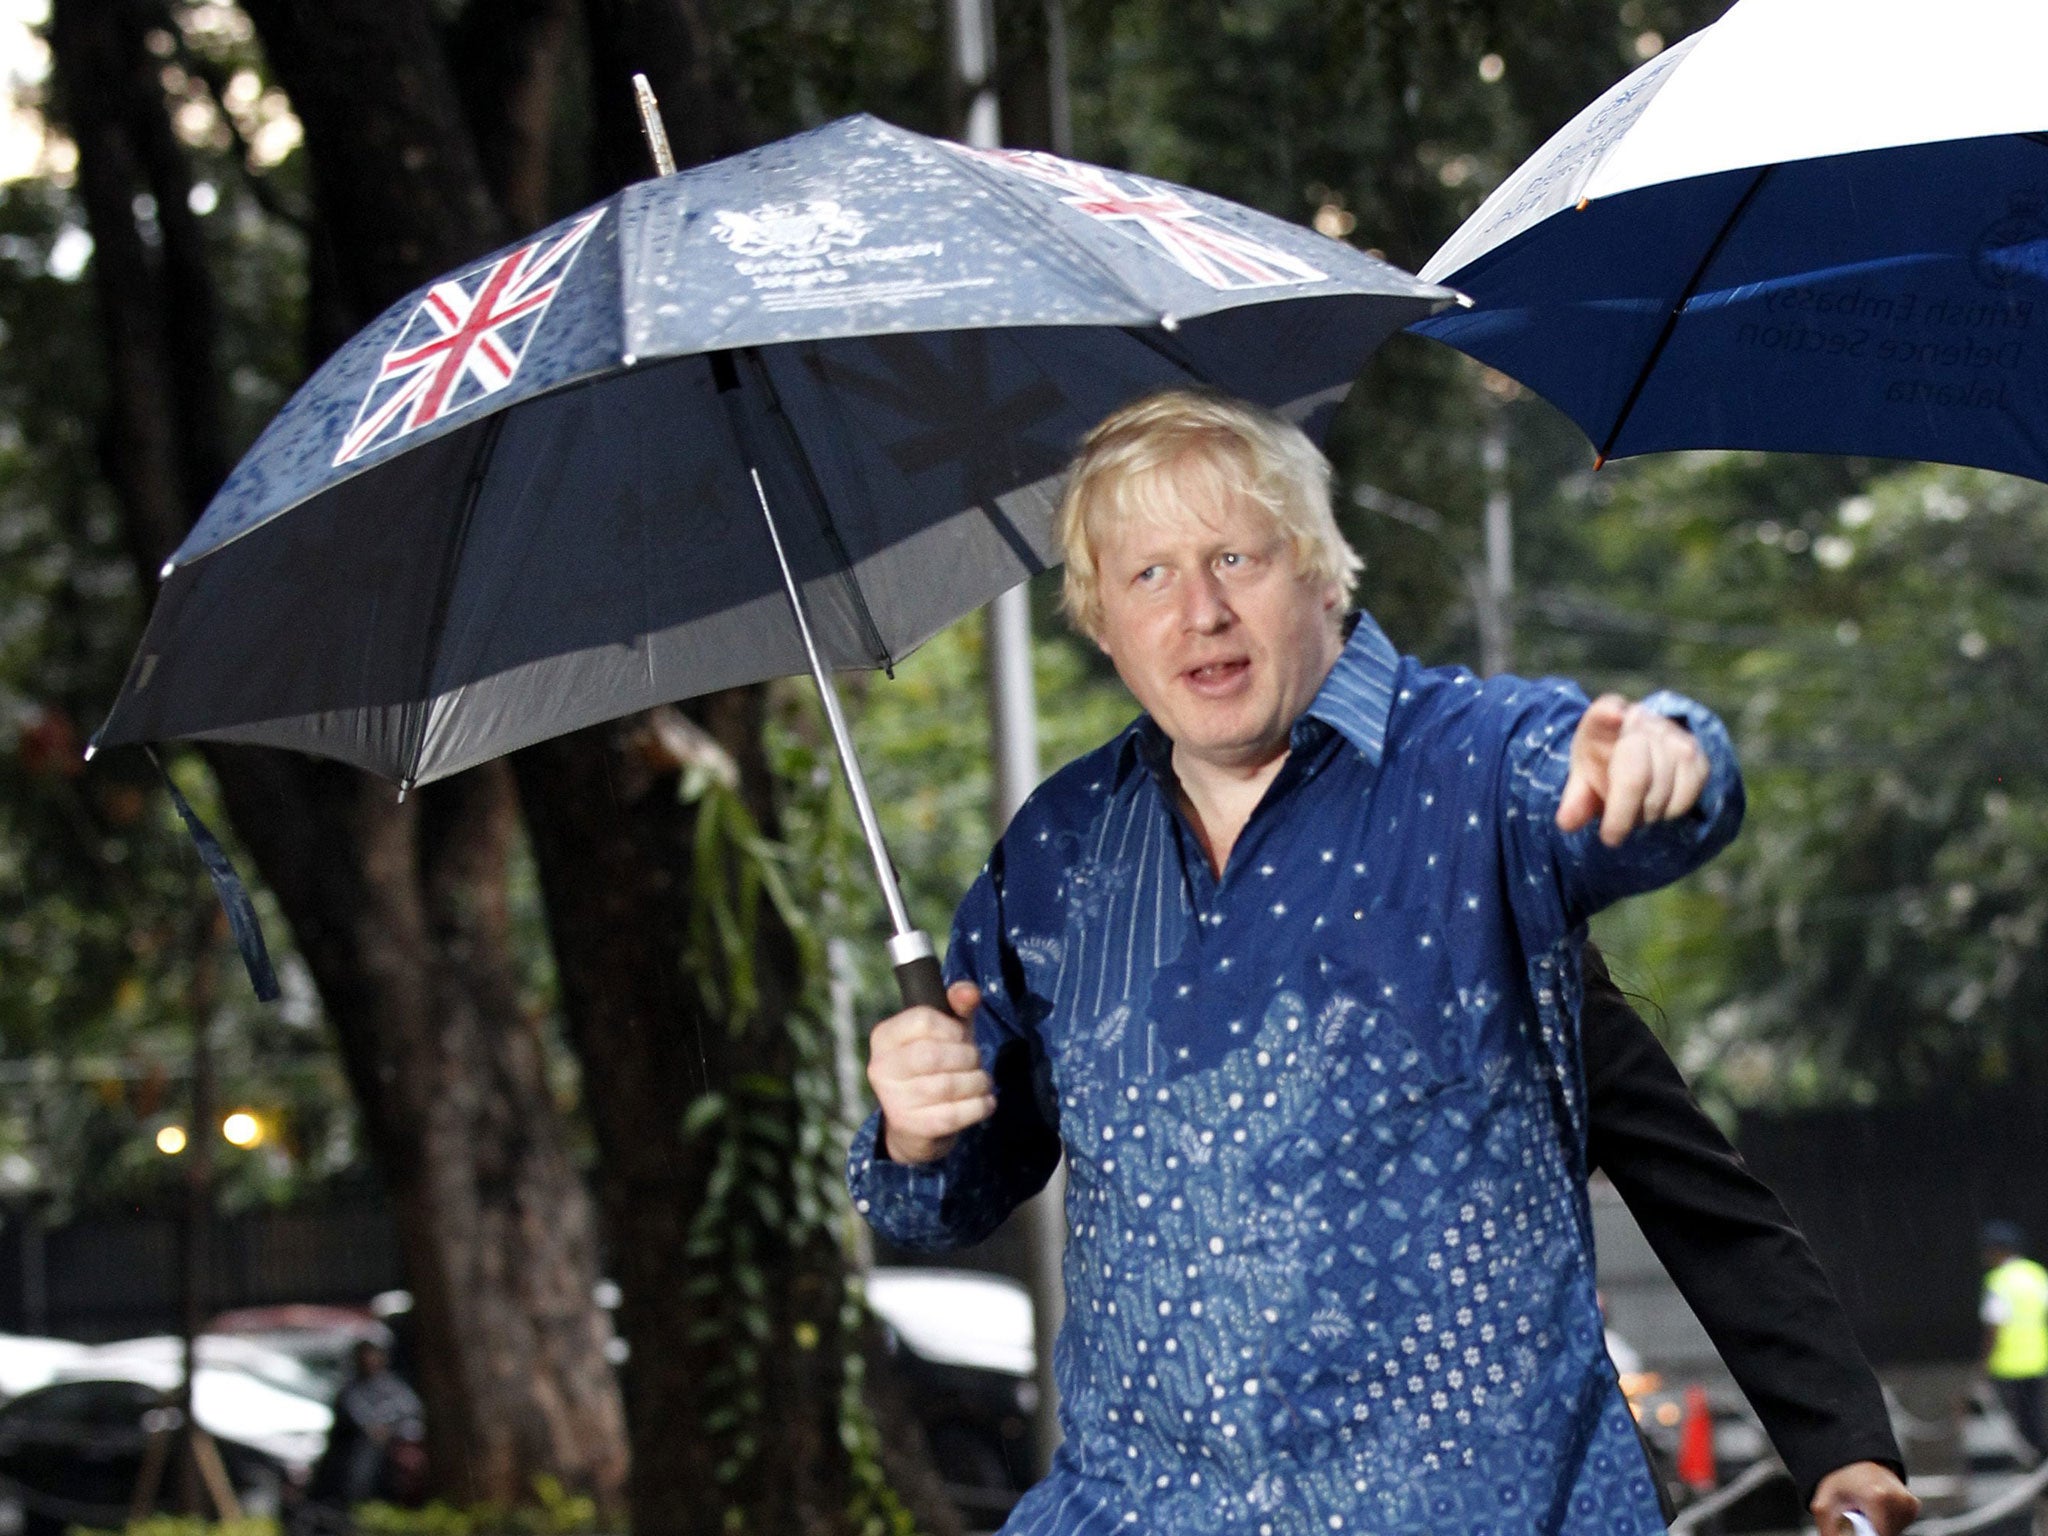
[{"x": 1744, "y": 1267}]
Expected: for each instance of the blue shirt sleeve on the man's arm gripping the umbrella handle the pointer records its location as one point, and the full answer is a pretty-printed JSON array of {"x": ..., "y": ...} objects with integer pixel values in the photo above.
[{"x": 998, "y": 1164}]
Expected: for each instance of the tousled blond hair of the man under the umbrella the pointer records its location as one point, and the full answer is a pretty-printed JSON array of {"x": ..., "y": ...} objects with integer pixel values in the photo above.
[{"x": 1148, "y": 456}]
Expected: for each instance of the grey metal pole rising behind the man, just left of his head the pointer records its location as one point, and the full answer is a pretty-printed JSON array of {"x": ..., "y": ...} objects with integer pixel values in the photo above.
[{"x": 1015, "y": 714}]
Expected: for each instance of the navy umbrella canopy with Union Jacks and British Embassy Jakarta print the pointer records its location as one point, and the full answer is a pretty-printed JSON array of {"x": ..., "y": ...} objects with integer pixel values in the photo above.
[{"x": 519, "y": 503}]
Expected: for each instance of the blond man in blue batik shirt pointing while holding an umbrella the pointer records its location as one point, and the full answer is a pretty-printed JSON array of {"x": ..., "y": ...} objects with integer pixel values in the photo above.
[{"x": 1293, "y": 970}]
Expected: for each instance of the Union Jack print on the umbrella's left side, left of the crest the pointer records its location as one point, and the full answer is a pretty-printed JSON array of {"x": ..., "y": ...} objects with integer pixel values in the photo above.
[{"x": 464, "y": 343}]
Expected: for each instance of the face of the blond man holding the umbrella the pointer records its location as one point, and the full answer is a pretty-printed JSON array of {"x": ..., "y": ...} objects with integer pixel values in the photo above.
[{"x": 1211, "y": 626}]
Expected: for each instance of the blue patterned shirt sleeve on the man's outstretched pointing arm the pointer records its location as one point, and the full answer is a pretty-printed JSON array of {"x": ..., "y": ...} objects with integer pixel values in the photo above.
[{"x": 1566, "y": 878}]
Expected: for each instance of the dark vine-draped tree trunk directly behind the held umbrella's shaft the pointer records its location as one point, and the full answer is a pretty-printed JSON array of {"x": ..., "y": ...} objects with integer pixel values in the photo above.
[{"x": 613, "y": 843}]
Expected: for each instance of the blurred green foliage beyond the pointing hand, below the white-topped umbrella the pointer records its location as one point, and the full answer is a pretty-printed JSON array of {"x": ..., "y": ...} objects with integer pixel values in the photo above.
[{"x": 1879, "y": 652}]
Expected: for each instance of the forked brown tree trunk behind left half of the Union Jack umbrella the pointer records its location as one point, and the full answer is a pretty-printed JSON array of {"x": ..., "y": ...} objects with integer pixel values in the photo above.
[{"x": 398, "y": 908}]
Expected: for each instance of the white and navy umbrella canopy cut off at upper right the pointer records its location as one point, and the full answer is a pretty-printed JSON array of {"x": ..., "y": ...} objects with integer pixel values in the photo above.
[{"x": 1814, "y": 226}]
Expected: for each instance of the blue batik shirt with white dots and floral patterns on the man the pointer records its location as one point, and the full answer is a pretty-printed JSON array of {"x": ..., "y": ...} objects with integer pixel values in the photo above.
[{"x": 1330, "y": 1258}]
